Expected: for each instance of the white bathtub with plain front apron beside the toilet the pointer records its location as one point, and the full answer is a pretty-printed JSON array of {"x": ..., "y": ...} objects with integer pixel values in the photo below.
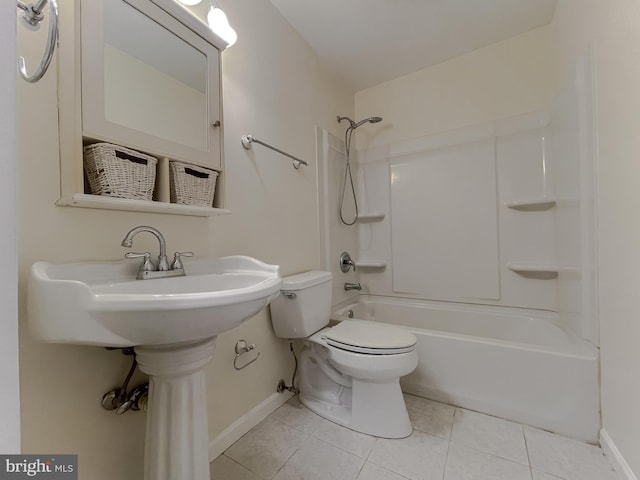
[{"x": 513, "y": 363}]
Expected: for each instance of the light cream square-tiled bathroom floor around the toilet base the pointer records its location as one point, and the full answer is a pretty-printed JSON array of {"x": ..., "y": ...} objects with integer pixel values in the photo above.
[{"x": 448, "y": 443}]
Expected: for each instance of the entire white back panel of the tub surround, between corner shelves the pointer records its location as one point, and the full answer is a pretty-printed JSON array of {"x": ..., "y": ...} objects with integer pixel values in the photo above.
[{"x": 447, "y": 233}]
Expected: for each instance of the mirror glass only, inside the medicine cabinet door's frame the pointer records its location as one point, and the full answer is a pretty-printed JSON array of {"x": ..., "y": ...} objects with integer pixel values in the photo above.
[{"x": 154, "y": 81}]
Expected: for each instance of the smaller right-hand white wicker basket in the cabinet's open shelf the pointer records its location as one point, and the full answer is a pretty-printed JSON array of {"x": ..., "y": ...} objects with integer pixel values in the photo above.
[{"x": 192, "y": 184}]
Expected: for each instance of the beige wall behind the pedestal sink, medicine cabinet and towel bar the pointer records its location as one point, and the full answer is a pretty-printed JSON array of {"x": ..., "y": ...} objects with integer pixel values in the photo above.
[{"x": 274, "y": 88}]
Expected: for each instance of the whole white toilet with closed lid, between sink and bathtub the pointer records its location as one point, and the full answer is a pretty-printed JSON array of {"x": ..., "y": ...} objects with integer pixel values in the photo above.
[{"x": 349, "y": 373}]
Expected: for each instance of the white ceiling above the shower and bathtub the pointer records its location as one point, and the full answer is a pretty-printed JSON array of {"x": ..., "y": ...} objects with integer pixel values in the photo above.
[{"x": 368, "y": 42}]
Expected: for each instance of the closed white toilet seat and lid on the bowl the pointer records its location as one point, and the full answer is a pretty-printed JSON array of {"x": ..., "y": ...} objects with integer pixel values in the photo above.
[{"x": 361, "y": 336}]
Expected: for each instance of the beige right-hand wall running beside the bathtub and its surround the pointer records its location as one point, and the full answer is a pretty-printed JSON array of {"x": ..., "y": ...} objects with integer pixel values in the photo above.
[{"x": 612, "y": 29}]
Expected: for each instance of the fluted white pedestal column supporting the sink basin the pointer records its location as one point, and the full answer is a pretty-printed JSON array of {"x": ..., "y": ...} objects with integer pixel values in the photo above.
[{"x": 177, "y": 437}]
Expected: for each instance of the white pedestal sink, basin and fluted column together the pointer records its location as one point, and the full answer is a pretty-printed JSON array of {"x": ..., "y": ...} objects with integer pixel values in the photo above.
[{"x": 171, "y": 322}]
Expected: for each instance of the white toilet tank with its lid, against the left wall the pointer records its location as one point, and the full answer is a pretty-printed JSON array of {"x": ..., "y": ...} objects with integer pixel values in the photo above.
[{"x": 303, "y": 306}]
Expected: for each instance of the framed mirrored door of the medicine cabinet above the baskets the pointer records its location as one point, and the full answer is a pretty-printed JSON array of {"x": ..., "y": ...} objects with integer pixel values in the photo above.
[{"x": 150, "y": 80}]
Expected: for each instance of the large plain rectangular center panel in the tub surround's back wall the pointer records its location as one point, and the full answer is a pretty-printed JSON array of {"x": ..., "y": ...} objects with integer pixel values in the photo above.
[{"x": 442, "y": 204}]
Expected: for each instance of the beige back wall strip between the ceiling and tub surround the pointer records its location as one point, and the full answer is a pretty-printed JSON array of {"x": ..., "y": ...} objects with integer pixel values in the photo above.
[{"x": 504, "y": 79}]
